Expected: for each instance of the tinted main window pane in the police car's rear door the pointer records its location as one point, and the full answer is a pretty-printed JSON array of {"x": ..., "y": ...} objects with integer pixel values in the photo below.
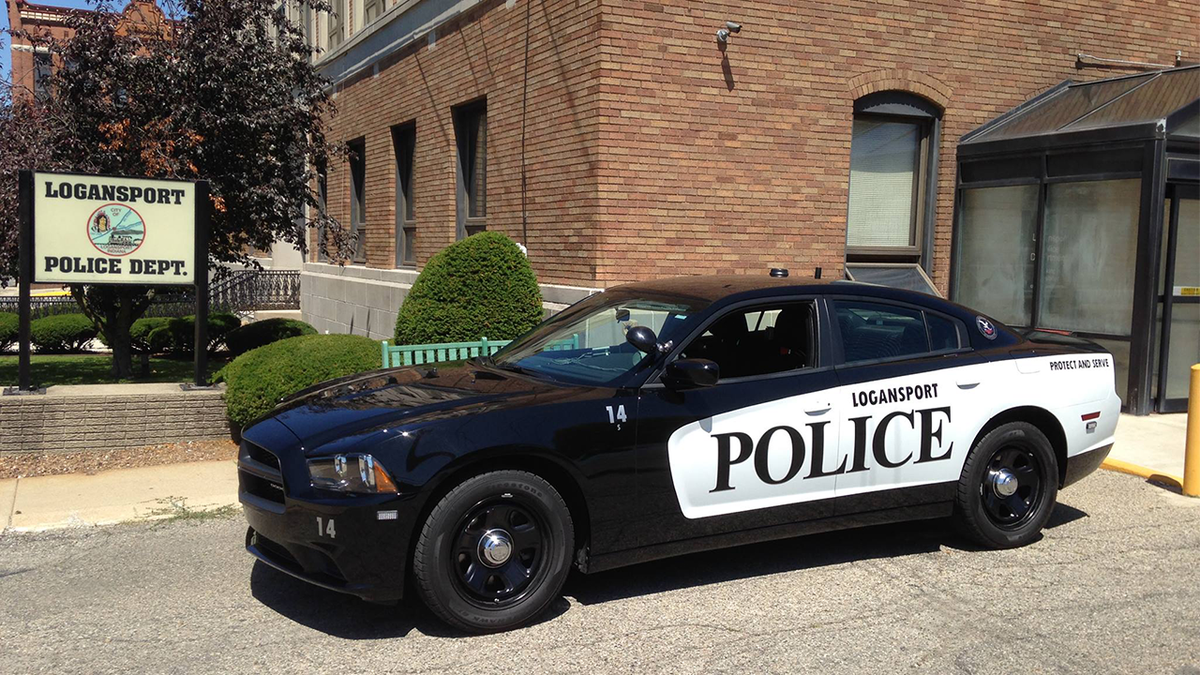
[{"x": 873, "y": 331}]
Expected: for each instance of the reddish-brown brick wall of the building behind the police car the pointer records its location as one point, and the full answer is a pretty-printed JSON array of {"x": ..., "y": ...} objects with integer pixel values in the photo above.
[{"x": 650, "y": 152}]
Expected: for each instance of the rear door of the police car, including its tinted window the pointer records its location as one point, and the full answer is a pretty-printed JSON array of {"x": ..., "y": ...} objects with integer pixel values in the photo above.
[{"x": 910, "y": 393}]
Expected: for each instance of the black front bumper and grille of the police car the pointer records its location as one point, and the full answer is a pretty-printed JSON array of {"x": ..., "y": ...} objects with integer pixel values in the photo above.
[{"x": 335, "y": 542}]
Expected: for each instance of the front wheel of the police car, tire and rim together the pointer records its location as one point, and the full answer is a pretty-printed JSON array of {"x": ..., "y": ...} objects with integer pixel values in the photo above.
[{"x": 467, "y": 576}]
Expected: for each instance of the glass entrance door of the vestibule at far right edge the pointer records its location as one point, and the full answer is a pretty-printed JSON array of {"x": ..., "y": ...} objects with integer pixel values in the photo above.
[{"x": 1180, "y": 300}]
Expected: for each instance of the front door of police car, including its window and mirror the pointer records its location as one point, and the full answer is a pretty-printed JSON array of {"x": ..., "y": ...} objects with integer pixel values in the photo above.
[{"x": 741, "y": 455}]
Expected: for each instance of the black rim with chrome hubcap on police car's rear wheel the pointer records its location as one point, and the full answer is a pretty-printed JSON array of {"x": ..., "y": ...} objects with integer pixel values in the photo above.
[{"x": 1012, "y": 487}]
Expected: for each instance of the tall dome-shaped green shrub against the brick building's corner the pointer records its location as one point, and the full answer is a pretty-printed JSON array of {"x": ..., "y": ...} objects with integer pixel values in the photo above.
[{"x": 479, "y": 288}]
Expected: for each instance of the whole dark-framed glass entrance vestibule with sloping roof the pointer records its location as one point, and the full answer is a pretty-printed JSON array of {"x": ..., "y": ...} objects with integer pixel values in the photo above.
[{"x": 1060, "y": 224}]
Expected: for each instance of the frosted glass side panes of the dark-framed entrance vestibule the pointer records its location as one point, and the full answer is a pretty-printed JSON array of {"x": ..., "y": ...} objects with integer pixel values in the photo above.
[{"x": 1082, "y": 277}]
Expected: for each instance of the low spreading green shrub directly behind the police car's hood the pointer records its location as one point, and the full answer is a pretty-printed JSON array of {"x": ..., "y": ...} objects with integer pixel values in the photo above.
[{"x": 260, "y": 379}]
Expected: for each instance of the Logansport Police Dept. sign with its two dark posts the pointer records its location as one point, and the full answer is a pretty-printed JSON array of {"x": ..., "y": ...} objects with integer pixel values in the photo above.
[{"x": 105, "y": 230}]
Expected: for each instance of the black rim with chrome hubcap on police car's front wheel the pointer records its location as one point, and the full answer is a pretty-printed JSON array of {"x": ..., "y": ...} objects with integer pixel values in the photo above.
[{"x": 488, "y": 582}]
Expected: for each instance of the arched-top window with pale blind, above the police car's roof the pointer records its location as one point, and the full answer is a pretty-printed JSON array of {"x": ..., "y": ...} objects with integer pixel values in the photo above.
[{"x": 892, "y": 178}]
